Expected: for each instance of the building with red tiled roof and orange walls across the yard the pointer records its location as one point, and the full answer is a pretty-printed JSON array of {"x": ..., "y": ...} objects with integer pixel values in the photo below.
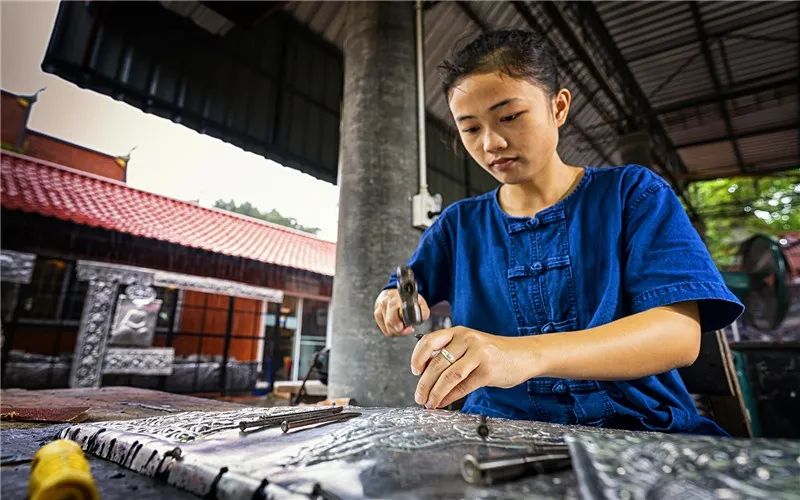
[{"x": 106, "y": 284}]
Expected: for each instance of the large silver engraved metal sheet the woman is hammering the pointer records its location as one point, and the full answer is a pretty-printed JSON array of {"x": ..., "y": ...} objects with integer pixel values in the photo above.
[{"x": 385, "y": 453}]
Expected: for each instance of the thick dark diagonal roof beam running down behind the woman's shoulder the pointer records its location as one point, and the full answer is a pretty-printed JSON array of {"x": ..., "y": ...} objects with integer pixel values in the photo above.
[{"x": 638, "y": 110}]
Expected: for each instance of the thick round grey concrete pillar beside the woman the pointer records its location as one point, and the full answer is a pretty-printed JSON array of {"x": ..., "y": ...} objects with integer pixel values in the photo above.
[{"x": 377, "y": 176}]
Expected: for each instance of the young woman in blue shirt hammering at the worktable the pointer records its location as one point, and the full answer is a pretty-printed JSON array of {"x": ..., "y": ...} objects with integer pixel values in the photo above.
[{"x": 576, "y": 291}]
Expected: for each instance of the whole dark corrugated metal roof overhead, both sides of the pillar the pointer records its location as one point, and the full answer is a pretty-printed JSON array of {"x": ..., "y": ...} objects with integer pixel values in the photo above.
[{"x": 706, "y": 112}]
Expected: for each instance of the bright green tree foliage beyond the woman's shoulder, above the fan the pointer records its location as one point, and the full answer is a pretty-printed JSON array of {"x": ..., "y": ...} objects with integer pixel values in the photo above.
[{"x": 736, "y": 208}]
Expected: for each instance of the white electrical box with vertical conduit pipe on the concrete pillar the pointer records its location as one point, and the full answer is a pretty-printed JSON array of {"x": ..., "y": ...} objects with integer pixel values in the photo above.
[{"x": 425, "y": 207}]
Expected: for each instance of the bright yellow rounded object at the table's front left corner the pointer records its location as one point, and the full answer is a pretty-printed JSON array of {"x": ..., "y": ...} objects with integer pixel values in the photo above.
[{"x": 59, "y": 471}]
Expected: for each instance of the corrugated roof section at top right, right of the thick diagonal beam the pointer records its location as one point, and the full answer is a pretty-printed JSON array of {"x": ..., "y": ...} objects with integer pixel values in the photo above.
[{"x": 753, "y": 45}]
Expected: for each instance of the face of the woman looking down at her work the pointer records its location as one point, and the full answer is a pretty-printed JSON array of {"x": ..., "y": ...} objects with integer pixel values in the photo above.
[{"x": 508, "y": 125}]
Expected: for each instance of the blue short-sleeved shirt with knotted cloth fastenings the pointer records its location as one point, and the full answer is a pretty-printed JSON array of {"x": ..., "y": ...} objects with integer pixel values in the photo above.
[{"x": 619, "y": 244}]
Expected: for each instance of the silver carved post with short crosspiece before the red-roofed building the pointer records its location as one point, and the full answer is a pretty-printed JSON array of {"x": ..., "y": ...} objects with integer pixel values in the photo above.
[{"x": 93, "y": 333}]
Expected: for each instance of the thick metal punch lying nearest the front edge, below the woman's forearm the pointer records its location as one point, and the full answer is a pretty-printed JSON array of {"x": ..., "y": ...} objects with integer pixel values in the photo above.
[{"x": 486, "y": 472}]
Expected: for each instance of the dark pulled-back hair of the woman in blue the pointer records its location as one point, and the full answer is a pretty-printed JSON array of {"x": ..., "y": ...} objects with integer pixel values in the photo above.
[{"x": 516, "y": 53}]
